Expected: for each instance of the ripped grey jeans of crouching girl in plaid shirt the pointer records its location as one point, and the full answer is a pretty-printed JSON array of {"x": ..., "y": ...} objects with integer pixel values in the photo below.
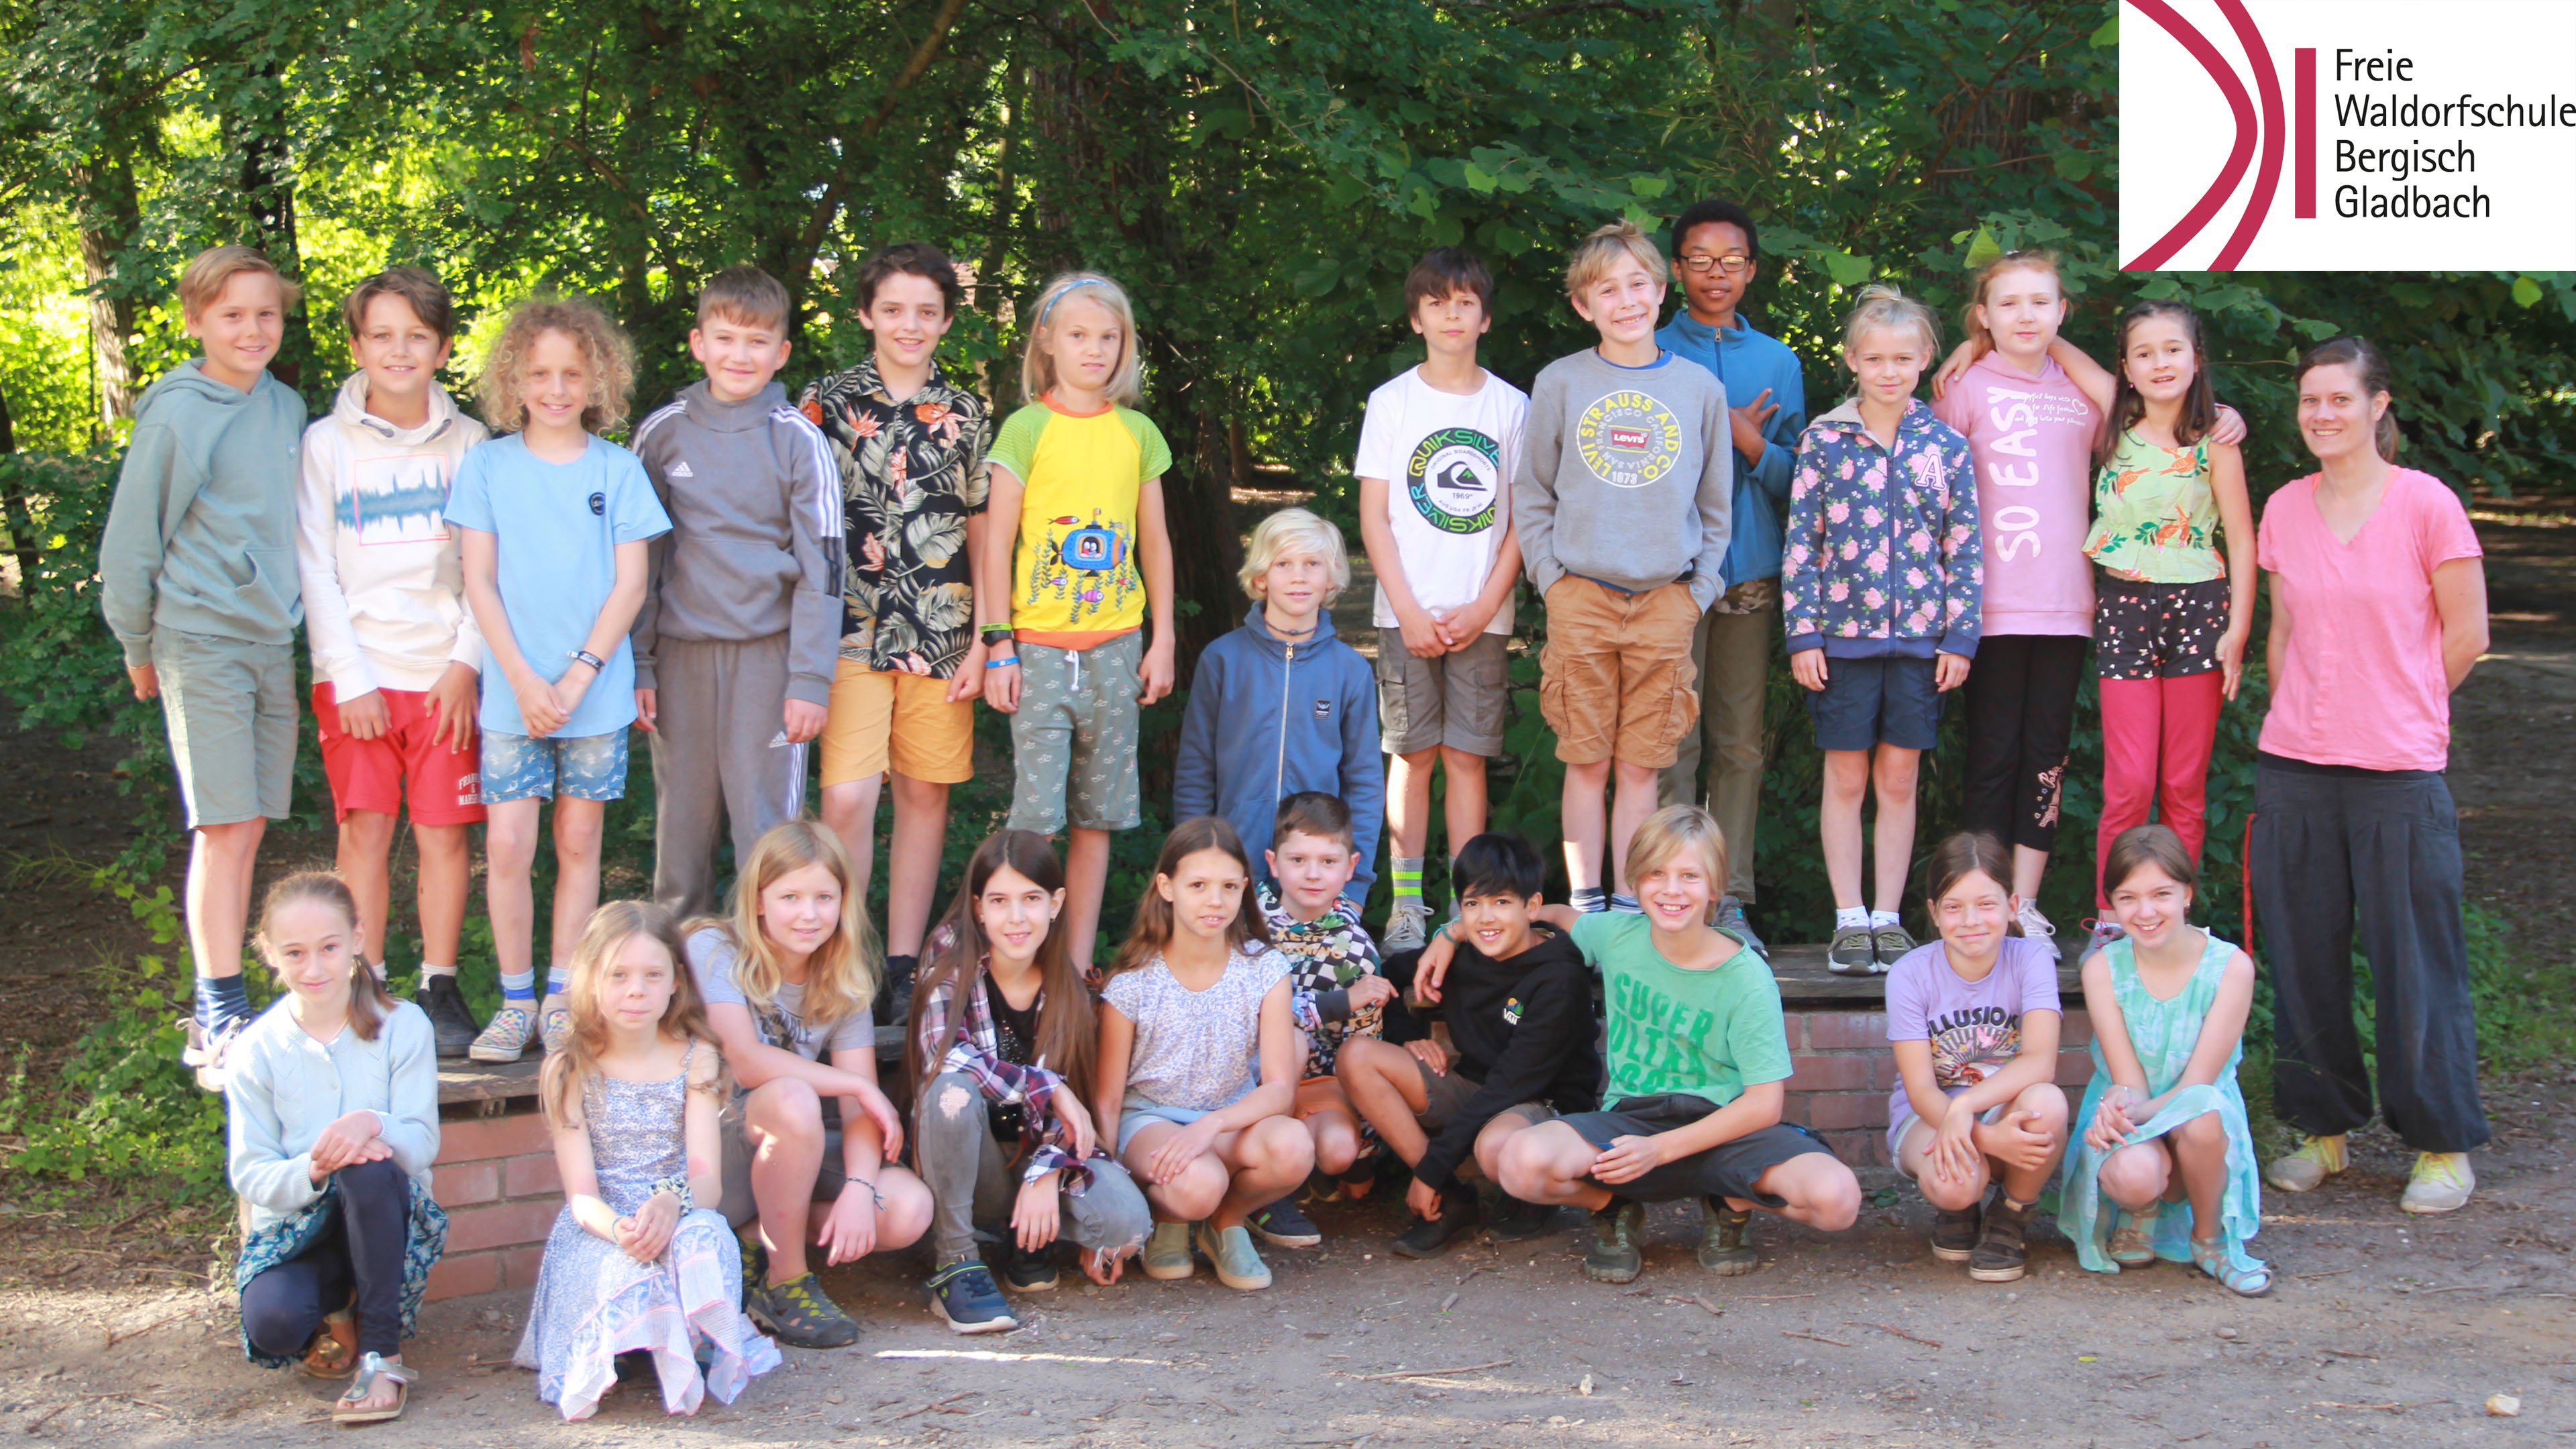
[{"x": 975, "y": 1180}]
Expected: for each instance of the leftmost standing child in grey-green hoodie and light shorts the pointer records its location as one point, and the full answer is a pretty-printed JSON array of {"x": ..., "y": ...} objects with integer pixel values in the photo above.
[{"x": 200, "y": 584}]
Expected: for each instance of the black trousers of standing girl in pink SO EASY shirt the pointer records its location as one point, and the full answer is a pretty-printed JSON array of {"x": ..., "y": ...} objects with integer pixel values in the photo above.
[{"x": 2021, "y": 721}]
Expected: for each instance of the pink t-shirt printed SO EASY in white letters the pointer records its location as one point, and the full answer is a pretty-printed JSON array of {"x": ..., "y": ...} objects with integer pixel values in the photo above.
[{"x": 2031, "y": 440}]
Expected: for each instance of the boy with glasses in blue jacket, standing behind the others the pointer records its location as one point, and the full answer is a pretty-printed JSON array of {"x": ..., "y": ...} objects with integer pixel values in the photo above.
[{"x": 1717, "y": 257}]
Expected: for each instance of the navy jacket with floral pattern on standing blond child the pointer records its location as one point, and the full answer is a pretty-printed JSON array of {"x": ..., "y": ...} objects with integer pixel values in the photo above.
[{"x": 1882, "y": 556}]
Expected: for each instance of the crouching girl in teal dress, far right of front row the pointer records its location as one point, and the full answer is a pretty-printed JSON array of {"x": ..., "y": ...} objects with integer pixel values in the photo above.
[{"x": 2163, "y": 1118}]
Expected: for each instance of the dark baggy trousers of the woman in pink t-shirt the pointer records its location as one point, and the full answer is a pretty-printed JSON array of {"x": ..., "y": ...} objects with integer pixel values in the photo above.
[{"x": 2330, "y": 844}]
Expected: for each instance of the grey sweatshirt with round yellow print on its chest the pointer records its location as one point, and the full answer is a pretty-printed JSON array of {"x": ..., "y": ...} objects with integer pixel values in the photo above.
[{"x": 1627, "y": 476}]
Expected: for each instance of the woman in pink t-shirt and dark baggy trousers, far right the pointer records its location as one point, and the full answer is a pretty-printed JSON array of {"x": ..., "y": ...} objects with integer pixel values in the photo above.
[{"x": 2379, "y": 612}]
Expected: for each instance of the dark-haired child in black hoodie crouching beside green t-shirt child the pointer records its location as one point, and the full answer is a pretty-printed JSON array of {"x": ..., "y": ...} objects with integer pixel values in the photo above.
[{"x": 1519, "y": 1009}]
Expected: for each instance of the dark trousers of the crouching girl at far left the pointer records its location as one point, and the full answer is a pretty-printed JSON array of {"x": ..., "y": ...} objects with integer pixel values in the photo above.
[{"x": 362, "y": 1249}]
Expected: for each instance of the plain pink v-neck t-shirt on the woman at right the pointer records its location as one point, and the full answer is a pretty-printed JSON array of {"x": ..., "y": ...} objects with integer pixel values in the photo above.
[{"x": 2361, "y": 682}]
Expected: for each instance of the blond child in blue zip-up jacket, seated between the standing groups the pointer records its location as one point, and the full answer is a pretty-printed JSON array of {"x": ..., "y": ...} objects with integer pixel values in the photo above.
[{"x": 1282, "y": 705}]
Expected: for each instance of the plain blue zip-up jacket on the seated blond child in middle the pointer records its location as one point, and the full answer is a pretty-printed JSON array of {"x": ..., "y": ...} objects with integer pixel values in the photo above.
[{"x": 1269, "y": 721}]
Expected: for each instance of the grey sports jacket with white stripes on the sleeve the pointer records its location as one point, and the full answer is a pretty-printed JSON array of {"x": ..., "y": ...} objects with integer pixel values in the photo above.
[{"x": 753, "y": 543}]
